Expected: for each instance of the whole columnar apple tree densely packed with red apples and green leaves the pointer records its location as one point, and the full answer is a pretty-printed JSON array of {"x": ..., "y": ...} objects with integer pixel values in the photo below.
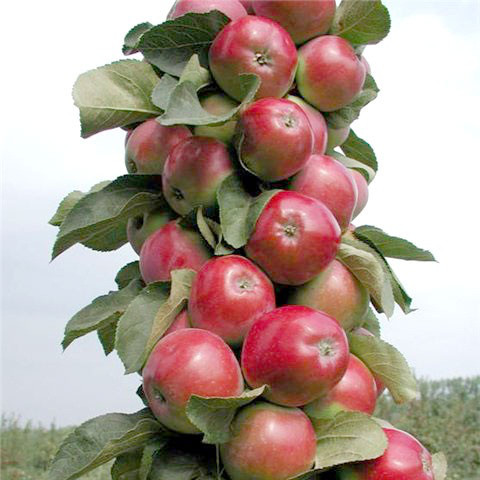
[{"x": 251, "y": 314}]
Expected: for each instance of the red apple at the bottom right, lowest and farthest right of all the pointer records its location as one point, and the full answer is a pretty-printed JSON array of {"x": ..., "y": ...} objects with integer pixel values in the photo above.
[{"x": 405, "y": 459}]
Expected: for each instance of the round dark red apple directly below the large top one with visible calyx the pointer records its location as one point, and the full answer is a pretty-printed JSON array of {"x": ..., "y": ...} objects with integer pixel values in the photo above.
[{"x": 275, "y": 139}]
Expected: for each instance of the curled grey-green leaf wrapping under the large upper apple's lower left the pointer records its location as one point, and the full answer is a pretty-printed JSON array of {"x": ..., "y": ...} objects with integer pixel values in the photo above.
[{"x": 184, "y": 106}]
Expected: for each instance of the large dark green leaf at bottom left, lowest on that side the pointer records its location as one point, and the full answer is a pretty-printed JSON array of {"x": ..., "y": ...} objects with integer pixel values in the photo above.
[{"x": 101, "y": 439}]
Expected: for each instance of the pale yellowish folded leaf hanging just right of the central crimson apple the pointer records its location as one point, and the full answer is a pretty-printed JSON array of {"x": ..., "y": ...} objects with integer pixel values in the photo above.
[{"x": 370, "y": 272}]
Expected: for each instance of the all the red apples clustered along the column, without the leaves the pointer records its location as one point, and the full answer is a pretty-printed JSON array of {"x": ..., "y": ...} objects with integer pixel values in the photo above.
[{"x": 275, "y": 313}]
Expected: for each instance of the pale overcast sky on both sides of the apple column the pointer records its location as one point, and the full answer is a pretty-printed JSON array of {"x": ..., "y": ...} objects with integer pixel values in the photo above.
[{"x": 424, "y": 128}]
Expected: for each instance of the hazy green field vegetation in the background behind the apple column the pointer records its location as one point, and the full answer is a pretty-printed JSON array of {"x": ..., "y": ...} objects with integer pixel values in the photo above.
[{"x": 446, "y": 418}]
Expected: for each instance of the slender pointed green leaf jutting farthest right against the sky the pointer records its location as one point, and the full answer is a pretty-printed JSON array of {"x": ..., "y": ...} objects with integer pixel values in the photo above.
[{"x": 393, "y": 247}]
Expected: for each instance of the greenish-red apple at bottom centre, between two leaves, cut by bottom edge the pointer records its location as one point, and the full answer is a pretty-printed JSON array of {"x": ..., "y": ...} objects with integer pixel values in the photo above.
[{"x": 269, "y": 443}]
